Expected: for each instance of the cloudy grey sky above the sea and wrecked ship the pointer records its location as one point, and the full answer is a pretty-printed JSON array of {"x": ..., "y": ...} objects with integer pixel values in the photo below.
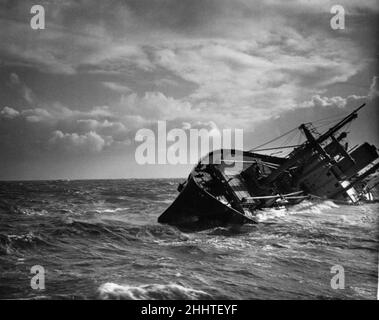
[{"x": 74, "y": 95}]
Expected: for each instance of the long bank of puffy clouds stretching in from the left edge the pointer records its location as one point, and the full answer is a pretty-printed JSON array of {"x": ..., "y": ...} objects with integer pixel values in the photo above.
[{"x": 90, "y": 130}]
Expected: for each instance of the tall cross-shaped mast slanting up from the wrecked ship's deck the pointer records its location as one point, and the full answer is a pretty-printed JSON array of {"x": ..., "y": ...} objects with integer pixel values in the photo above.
[{"x": 312, "y": 144}]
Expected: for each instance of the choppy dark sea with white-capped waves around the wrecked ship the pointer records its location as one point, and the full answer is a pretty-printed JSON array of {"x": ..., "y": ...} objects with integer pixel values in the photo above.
[{"x": 100, "y": 239}]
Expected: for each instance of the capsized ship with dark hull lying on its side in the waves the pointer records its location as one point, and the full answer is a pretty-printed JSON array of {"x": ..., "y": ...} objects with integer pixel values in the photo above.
[{"x": 229, "y": 187}]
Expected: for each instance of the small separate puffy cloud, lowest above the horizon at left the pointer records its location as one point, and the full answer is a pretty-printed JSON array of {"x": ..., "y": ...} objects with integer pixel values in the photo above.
[{"x": 90, "y": 141}]
